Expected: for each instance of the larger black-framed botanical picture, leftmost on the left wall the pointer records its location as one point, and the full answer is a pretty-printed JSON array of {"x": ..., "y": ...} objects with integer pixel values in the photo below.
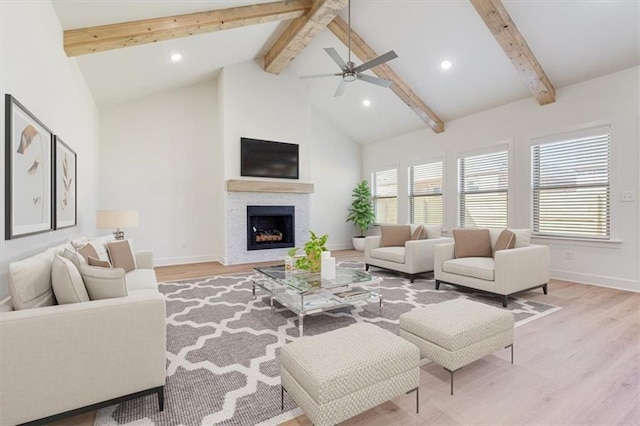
[{"x": 28, "y": 172}]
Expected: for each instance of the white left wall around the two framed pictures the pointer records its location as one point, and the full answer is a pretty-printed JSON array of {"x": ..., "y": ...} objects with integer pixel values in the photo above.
[{"x": 36, "y": 71}]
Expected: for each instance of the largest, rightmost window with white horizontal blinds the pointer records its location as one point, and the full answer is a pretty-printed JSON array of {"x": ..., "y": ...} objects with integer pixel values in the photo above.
[{"x": 571, "y": 194}]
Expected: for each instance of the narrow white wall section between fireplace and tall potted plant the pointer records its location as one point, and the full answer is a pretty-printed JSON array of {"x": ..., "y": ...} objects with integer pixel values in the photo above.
[{"x": 335, "y": 170}]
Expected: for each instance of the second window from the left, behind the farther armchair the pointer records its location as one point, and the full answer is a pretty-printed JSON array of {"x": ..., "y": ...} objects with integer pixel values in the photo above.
[{"x": 425, "y": 193}]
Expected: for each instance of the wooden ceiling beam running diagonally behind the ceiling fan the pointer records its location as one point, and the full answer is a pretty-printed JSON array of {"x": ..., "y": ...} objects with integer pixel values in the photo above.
[{"x": 363, "y": 51}]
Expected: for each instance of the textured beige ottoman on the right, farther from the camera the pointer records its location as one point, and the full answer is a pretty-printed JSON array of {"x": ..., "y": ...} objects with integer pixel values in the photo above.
[{"x": 457, "y": 332}]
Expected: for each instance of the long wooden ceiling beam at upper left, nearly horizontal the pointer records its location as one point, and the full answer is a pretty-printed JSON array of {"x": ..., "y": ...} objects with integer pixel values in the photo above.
[{"x": 115, "y": 36}]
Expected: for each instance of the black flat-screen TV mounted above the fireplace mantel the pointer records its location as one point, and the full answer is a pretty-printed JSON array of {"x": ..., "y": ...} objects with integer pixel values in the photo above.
[{"x": 260, "y": 158}]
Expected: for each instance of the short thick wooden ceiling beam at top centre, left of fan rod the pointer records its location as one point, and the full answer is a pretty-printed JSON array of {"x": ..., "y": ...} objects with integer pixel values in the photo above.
[{"x": 299, "y": 34}]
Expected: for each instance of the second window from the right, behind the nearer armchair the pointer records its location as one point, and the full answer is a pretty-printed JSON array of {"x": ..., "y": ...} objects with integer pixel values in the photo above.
[{"x": 483, "y": 187}]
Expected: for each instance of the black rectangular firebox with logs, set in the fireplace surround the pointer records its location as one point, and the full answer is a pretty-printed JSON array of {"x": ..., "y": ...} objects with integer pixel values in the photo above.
[{"x": 270, "y": 227}]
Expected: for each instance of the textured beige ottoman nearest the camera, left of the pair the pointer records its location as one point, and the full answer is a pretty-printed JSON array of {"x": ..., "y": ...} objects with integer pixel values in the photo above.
[{"x": 336, "y": 375}]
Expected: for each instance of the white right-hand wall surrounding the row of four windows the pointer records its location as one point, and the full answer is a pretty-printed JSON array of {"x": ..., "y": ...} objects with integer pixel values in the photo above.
[{"x": 612, "y": 100}]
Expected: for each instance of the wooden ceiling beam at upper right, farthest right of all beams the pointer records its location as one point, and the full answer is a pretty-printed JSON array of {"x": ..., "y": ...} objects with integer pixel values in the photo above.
[{"x": 499, "y": 22}]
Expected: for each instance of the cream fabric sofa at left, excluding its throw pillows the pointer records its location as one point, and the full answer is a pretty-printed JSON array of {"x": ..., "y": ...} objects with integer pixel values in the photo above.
[{"x": 61, "y": 360}]
